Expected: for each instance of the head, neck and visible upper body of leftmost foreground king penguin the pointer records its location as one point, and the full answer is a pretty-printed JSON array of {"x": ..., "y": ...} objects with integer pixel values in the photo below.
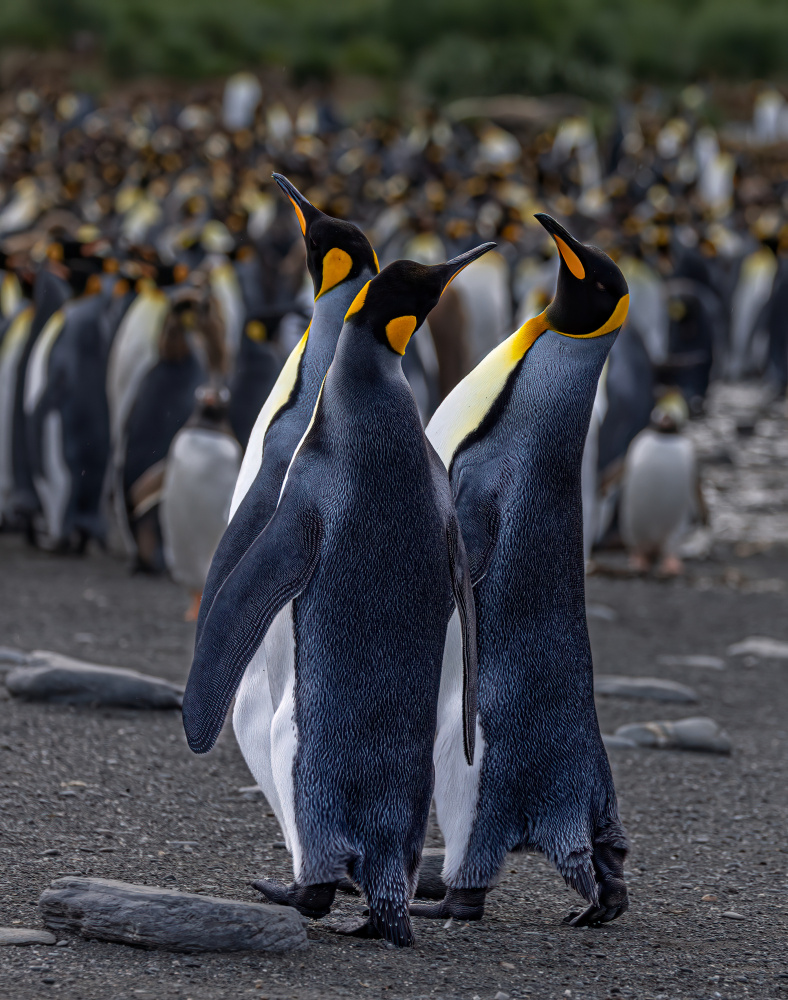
[{"x": 340, "y": 261}]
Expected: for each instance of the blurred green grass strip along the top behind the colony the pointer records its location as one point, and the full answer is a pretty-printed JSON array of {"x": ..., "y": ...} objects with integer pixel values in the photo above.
[{"x": 447, "y": 48}]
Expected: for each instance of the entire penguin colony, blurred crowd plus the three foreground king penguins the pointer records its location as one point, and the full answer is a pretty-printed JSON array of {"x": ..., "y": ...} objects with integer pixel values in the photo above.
[{"x": 156, "y": 381}]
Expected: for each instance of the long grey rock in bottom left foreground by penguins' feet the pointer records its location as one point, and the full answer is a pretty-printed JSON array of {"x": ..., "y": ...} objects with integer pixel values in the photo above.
[{"x": 150, "y": 917}]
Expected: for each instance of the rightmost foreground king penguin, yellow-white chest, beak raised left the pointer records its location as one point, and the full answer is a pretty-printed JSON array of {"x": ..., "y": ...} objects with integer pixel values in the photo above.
[{"x": 511, "y": 435}]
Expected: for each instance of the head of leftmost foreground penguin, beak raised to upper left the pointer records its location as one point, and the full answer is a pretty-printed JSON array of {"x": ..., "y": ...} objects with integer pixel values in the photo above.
[{"x": 336, "y": 251}]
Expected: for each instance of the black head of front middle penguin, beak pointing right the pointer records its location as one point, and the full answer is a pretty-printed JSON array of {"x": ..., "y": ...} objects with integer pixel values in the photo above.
[{"x": 395, "y": 303}]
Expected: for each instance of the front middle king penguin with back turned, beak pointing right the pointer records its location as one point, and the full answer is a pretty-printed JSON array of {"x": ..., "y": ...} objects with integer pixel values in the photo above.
[{"x": 349, "y": 588}]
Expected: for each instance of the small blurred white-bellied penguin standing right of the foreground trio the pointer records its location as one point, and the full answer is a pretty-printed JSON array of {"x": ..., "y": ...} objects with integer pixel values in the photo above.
[{"x": 660, "y": 489}]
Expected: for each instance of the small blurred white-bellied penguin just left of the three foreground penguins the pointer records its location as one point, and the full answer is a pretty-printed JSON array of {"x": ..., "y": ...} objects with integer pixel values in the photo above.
[{"x": 201, "y": 470}]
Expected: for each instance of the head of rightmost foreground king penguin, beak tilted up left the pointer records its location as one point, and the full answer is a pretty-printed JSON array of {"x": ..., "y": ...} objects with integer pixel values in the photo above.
[{"x": 592, "y": 297}]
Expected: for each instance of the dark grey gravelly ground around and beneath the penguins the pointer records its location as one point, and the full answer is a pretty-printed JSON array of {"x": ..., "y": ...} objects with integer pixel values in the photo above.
[{"x": 115, "y": 793}]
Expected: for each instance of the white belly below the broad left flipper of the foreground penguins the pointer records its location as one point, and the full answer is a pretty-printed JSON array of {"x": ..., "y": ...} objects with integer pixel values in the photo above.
[{"x": 264, "y": 724}]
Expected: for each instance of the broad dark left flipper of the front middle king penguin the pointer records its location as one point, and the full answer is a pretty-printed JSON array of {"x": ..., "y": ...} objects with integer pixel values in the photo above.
[{"x": 276, "y": 568}]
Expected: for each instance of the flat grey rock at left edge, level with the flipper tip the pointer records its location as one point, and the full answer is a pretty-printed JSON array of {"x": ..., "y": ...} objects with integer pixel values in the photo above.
[{"x": 66, "y": 681}]
